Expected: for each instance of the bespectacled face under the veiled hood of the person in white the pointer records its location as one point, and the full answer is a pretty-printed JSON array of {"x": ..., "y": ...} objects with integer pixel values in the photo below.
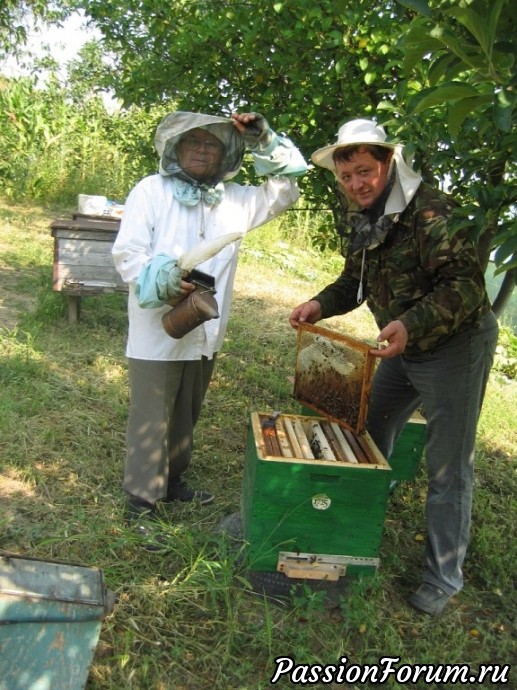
[{"x": 200, "y": 154}]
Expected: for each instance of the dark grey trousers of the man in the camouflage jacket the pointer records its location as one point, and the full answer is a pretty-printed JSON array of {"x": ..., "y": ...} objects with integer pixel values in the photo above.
[{"x": 450, "y": 383}]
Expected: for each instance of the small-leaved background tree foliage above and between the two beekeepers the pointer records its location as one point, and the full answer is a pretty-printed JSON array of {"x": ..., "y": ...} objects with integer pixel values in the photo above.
[{"x": 307, "y": 66}]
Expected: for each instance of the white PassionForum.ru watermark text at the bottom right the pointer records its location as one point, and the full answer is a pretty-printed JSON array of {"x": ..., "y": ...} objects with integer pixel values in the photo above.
[{"x": 387, "y": 668}]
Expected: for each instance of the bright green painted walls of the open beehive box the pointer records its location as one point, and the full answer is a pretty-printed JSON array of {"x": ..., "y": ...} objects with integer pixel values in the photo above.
[{"x": 279, "y": 513}]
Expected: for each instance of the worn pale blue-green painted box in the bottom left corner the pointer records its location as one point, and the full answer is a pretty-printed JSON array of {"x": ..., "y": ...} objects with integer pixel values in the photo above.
[{"x": 50, "y": 620}]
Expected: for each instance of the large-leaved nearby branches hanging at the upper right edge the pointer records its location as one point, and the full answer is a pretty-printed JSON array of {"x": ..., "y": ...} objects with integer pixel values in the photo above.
[{"x": 459, "y": 59}]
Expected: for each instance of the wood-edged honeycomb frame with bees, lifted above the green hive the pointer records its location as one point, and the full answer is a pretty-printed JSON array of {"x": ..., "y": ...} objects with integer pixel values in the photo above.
[{"x": 333, "y": 375}]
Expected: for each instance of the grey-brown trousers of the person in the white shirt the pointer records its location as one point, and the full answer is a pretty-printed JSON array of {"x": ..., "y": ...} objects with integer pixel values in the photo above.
[{"x": 165, "y": 404}]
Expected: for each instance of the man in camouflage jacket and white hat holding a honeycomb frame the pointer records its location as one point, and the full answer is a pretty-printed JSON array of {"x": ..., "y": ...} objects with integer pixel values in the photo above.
[{"x": 437, "y": 336}]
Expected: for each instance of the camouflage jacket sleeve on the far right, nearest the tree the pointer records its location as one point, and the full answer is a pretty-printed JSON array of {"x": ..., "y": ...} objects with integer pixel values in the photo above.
[{"x": 457, "y": 282}]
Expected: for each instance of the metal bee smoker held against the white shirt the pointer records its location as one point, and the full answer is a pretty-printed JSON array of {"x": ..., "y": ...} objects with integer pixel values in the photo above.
[{"x": 199, "y": 306}]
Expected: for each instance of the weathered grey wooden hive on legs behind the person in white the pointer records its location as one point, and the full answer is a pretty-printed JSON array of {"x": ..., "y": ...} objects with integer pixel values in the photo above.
[{"x": 83, "y": 264}]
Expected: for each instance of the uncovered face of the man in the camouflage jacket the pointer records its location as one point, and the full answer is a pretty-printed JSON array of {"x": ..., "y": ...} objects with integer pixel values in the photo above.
[{"x": 363, "y": 177}]
